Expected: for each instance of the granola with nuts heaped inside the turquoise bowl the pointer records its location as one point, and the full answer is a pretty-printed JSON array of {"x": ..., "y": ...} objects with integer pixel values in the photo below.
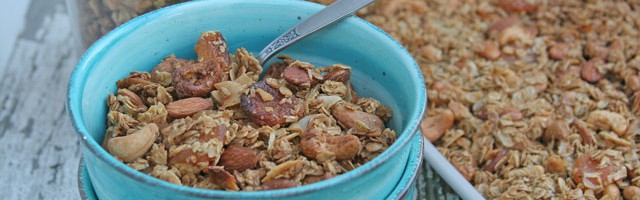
[{"x": 212, "y": 123}]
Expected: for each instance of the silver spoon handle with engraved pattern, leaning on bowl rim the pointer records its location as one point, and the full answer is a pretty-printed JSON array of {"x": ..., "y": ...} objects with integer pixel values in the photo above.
[{"x": 332, "y": 13}]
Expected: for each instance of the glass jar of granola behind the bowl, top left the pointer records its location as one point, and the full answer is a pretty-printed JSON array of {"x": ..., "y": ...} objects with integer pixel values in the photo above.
[{"x": 94, "y": 18}]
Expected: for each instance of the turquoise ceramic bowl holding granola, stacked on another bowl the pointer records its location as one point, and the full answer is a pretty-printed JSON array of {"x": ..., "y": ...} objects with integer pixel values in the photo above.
[{"x": 382, "y": 69}]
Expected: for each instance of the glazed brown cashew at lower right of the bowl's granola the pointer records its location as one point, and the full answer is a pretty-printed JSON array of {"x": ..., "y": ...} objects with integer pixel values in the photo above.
[{"x": 322, "y": 147}]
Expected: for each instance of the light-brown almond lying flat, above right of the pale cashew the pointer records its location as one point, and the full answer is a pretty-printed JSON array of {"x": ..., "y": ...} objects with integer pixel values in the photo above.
[{"x": 188, "y": 107}]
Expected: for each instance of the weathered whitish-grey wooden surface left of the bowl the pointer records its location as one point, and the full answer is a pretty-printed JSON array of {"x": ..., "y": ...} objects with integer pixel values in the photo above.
[{"x": 39, "y": 152}]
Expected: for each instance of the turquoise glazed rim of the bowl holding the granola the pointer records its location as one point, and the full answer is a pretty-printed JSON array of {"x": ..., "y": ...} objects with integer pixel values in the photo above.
[{"x": 76, "y": 86}]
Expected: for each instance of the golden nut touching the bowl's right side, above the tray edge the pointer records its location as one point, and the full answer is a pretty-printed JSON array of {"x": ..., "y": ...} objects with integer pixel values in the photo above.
[{"x": 435, "y": 126}]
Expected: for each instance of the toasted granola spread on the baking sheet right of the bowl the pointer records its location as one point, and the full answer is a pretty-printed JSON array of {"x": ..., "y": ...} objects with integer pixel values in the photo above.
[{"x": 528, "y": 98}]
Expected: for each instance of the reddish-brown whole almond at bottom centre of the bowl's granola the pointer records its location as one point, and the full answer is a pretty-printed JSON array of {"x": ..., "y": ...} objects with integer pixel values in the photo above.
[{"x": 238, "y": 158}]
